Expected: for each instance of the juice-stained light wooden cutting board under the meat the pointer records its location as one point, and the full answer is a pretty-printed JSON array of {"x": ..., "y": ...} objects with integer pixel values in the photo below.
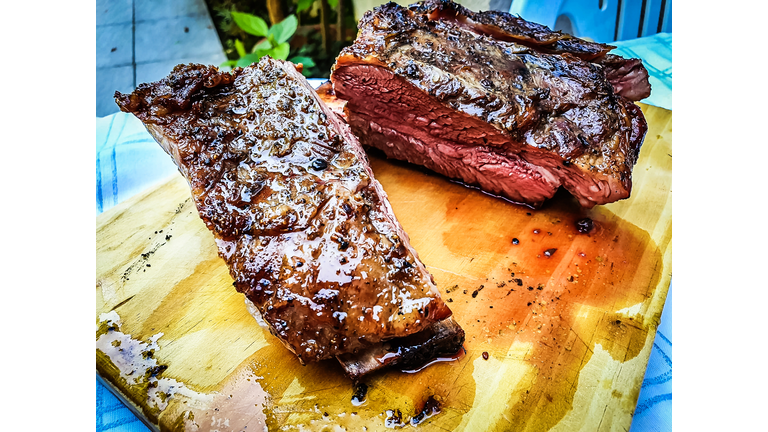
[{"x": 566, "y": 319}]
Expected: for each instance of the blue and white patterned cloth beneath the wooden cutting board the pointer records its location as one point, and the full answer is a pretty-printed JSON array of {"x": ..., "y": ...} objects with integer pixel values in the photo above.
[{"x": 128, "y": 161}]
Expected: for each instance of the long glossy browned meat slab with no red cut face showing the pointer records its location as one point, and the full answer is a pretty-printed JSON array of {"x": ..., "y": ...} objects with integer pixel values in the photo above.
[{"x": 307, "y": 232}]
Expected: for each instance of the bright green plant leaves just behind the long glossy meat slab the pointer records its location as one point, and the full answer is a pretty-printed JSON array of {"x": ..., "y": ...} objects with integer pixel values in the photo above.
[{"x": 274, "y": 43}]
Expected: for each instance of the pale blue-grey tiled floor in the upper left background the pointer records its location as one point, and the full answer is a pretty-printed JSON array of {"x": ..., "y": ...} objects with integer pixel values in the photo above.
[{"x": 140, "y": 41}]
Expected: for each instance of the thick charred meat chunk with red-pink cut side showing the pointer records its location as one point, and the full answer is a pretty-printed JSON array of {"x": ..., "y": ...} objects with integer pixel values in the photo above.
[{"x": 494, "y": 101}]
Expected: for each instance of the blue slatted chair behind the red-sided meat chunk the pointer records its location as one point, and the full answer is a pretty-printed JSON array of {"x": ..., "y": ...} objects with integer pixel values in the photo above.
[{"x": 603, "y": 21}]
